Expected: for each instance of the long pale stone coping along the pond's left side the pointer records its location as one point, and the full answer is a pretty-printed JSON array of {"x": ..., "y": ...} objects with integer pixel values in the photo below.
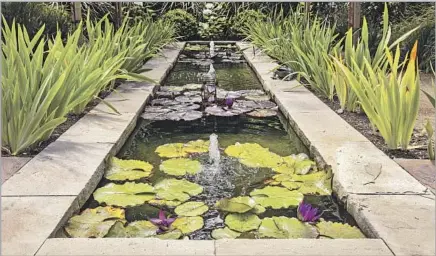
[{"x": 45, "y": 192}]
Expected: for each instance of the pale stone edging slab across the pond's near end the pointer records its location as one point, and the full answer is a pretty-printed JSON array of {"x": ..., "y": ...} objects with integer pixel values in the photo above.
[{"x": 235, "y": 247}]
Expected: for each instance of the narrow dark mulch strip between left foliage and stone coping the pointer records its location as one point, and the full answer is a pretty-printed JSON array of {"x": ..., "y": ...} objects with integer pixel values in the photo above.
[{"x": 71, "y": 120}]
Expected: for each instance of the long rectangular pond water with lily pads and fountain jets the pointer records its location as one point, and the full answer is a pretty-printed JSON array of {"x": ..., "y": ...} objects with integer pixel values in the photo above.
[{"x": 221, "y": 174}]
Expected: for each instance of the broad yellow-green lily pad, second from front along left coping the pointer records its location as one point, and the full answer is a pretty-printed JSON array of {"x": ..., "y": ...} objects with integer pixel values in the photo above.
[{"x": 127, "y": 194}]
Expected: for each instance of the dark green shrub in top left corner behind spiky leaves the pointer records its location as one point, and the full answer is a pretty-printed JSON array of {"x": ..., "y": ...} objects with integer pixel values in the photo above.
[{"x": 34, "y": 15}]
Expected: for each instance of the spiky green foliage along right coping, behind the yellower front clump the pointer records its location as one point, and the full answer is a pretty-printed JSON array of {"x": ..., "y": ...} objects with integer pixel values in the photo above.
[{"x": 301, "y": 42}]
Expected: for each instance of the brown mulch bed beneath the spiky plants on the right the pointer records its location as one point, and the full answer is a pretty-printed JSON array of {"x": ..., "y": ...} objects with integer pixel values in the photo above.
[{"x": 361, "y": 123}]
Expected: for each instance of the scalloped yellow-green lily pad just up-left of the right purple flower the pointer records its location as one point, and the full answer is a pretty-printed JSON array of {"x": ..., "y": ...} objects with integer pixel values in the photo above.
[{"x": 276, "y": 197}]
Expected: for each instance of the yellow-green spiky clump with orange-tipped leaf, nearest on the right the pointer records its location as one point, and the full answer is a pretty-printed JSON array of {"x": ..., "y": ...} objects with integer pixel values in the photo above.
[{"x": 389, "y": 99}]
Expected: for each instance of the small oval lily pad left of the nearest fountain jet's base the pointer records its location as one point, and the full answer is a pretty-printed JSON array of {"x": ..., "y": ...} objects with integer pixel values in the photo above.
[{"x": 180, "y": 166}]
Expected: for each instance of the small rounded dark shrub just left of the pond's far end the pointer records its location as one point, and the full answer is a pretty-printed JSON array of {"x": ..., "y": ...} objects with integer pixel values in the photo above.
[{"x": 185, "y": 23}]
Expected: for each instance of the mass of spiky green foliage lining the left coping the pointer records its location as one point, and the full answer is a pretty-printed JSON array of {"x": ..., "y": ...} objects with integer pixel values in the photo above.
[{"x": 41, "y": 87}]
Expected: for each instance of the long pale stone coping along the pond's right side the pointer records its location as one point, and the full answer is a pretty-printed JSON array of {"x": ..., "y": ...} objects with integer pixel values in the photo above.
[{"x": 385, "y": 200}]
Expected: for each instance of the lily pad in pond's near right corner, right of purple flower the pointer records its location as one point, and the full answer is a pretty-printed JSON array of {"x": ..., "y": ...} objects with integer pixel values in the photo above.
[{"x": 338, "y": 230}]
